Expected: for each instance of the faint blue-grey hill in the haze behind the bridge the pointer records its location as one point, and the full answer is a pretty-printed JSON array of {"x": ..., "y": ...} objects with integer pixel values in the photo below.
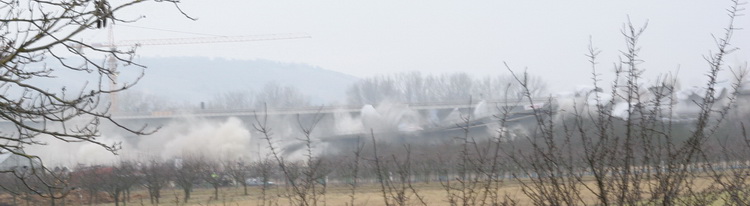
[{"x": 196, "y": 79}]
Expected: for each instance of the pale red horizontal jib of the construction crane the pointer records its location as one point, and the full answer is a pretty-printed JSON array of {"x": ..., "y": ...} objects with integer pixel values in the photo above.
[{"x": 204, "y": 40}]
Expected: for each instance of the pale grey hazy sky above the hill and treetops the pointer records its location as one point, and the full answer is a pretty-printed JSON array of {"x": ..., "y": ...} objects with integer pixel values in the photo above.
[{"x": 365, "y": 38}]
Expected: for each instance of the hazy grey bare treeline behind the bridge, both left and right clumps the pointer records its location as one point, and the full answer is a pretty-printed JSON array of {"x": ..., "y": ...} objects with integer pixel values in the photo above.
[{"x": 413, "y": 87}]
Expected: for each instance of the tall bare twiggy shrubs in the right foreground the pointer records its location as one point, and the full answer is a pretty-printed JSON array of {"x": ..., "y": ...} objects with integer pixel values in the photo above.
[{"x": 641, "y": 156}]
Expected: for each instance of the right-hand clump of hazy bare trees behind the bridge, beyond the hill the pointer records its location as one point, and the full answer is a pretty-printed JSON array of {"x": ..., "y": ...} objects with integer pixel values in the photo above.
[{"x": 415, "y": 87}]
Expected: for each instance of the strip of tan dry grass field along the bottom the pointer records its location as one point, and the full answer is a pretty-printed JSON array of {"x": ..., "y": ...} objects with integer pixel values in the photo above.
[{"x": 433, "y": 193}]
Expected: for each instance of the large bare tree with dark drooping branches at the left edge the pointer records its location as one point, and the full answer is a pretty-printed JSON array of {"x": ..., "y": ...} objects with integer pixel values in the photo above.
[{"x": 38, "y": 44}]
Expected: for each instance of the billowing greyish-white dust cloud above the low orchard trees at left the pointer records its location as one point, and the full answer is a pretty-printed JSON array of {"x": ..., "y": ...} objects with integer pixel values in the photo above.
[{"x": 228, "y": 139}]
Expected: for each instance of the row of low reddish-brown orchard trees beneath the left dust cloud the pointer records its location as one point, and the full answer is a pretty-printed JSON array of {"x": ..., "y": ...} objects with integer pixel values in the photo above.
[{"x": 103, "y": 183}]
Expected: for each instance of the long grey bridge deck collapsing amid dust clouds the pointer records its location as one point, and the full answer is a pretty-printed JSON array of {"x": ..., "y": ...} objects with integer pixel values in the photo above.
[{"x": 438, "y": 121}]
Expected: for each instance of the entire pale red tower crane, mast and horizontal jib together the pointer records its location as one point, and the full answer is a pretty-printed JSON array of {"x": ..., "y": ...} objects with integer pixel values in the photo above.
[{"x": 112, "y": 45}]
